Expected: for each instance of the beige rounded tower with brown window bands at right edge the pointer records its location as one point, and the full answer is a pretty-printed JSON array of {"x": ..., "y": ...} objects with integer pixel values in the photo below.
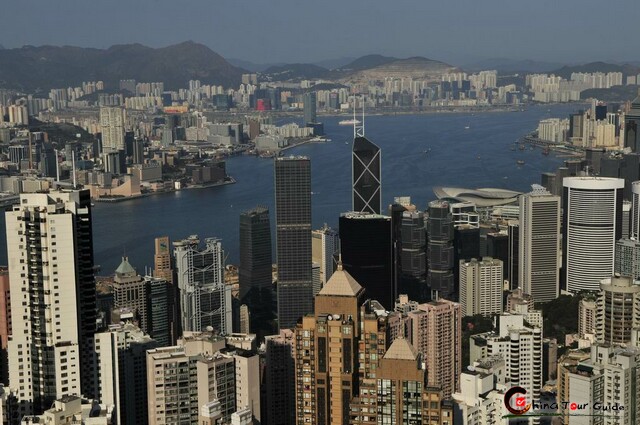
[{"x": 617, "y": 310}]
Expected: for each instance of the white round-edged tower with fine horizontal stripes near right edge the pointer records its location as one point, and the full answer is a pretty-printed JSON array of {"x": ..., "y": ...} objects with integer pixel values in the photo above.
[{"x": 592, "y": 224}]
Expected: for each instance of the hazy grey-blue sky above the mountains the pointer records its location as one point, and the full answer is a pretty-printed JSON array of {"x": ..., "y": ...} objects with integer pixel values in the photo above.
[{"x": 458, "y": 31}]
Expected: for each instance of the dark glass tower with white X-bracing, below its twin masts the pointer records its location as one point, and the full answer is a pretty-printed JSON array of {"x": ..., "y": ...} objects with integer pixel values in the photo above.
[{"x": 367, "y": 176}]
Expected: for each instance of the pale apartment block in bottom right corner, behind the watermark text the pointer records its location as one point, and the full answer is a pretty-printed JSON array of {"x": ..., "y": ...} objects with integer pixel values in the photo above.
[{"x": 608, "y": 378}]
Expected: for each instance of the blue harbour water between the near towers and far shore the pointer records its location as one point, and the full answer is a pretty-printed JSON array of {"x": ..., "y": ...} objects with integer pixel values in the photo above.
[{"x": 406, "y": 171}]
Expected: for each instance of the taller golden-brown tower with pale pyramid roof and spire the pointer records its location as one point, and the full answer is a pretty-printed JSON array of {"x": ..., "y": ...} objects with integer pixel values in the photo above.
[{"x": 337, "y": 351}]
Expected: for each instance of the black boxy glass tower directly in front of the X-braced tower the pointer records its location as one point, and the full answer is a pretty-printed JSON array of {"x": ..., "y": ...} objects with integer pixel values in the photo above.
[{"x": 366, "y": 250}]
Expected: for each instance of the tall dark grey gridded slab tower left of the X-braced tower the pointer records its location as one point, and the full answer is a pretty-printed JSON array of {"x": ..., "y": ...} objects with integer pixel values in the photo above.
[{"x": 293, "y": 238}]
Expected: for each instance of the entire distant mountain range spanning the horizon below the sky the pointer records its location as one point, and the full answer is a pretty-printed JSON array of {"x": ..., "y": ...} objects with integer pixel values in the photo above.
[{"x": 38, "y": 69}]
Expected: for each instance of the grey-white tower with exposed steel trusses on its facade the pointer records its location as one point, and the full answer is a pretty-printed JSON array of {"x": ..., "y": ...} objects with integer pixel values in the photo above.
[{"x": 205, "y": 300}]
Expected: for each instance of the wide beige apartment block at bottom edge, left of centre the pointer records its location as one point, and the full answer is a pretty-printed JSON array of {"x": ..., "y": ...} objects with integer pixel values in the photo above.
[{"x": 200, "y": 370}]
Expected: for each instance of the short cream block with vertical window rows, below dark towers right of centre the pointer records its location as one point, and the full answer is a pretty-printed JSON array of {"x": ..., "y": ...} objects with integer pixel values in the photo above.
[{"x": 481, "y": 284}]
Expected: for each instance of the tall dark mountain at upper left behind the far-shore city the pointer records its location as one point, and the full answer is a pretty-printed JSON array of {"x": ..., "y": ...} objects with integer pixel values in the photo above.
[{"x": 41, "y": 68}]
